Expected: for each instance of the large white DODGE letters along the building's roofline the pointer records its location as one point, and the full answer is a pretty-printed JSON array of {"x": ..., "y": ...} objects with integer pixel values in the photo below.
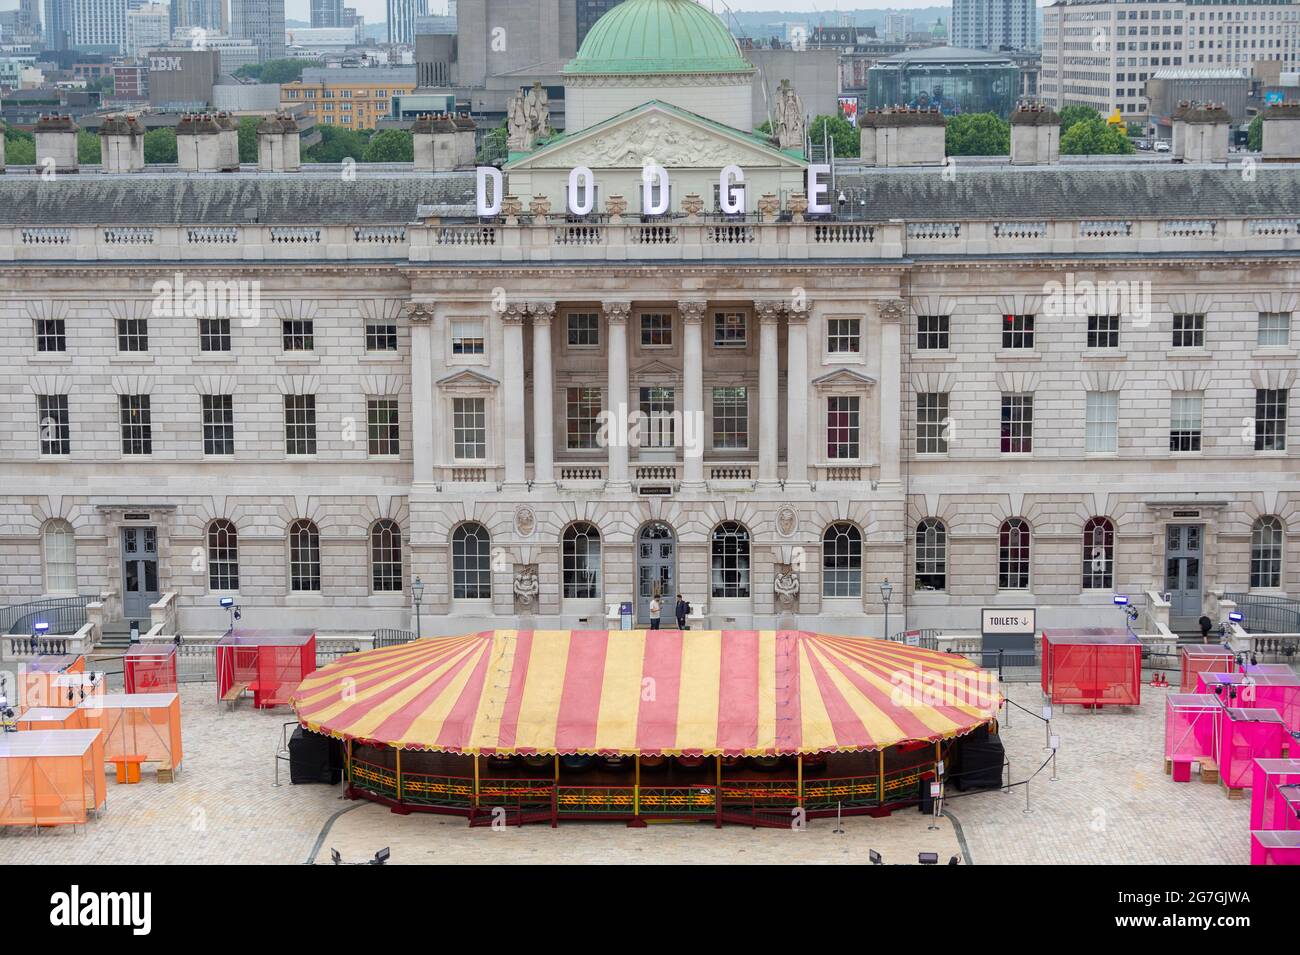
[{"x": 656, "y": 190}]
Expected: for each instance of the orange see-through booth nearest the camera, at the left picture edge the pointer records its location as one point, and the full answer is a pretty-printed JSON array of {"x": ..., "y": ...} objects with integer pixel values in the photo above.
[{"x": 51, "y": 778}]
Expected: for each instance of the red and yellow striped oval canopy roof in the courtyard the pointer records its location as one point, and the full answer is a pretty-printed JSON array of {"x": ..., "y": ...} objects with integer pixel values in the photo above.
[{"x": 733, "y": 693}]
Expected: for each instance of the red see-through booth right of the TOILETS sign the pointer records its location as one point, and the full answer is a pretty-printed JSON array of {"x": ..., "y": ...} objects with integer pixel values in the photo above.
[{"x": 1093, "y": 667}]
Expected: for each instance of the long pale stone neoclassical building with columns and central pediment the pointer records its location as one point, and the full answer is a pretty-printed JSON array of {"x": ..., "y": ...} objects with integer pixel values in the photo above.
[{"x": 1029, "y": 385}]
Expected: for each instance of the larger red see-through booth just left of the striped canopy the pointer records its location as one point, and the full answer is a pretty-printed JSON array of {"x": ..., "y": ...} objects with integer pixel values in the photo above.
[{"x": 271, "y": 665}]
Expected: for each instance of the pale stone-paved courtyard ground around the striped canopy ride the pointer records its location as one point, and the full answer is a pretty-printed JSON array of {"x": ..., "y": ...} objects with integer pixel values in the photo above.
[{"x": 1111, "y": 804}]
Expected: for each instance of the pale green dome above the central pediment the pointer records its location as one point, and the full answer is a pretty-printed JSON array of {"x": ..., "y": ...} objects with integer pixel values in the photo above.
[{"x": 658, "y": 37}]
